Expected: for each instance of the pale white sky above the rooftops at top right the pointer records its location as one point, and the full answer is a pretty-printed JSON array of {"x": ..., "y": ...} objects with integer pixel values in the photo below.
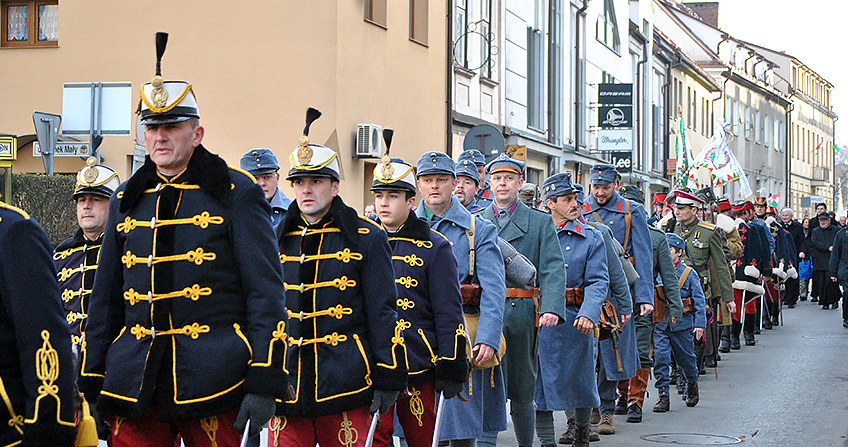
[{"x": 814, "y": 31}]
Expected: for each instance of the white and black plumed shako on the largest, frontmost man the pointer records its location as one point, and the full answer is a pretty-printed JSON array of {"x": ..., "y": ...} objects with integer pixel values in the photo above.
[{"x": 165, "y": 102}]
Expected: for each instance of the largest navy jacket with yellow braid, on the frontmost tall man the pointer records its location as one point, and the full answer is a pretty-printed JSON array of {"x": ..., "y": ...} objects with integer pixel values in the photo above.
[{"x": 187, "y": 312}]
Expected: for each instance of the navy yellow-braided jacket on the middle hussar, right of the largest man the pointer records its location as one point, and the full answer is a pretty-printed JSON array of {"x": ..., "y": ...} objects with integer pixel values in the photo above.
[{"x": 345, "y": 339}]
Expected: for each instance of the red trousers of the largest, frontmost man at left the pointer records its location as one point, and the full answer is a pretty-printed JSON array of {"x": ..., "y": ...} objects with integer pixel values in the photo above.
[{"x": 149, "y": 431}]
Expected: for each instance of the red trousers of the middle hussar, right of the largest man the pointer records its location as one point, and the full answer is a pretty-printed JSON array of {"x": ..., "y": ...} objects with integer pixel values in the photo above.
[{"x": 346, "y": 429}]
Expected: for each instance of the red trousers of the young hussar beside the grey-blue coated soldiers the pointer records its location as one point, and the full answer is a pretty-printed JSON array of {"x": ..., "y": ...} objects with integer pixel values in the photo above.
[{"x": 416, "y": 414}]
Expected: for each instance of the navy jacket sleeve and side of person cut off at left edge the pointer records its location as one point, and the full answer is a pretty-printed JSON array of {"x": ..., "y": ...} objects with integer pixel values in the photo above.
[{"x": 36, "y": 365}]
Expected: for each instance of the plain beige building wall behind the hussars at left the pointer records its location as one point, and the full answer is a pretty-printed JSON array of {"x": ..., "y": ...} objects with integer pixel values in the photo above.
[{"x": 255, "y": 68}]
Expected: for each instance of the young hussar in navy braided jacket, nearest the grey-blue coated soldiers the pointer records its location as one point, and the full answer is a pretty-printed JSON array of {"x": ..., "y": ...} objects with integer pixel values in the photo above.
[{"x": 428, "y": 304}]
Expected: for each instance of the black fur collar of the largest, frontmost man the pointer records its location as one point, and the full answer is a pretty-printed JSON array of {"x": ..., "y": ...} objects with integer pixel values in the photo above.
[{"x": 205, "y": 169}]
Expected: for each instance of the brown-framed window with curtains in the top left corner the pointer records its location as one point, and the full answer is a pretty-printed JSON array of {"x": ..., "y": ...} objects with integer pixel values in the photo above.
[{"x": 30, "y": 23}]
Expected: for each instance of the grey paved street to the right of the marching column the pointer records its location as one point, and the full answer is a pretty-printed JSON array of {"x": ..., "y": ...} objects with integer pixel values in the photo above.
[{"x": 791, "y": 389}]
